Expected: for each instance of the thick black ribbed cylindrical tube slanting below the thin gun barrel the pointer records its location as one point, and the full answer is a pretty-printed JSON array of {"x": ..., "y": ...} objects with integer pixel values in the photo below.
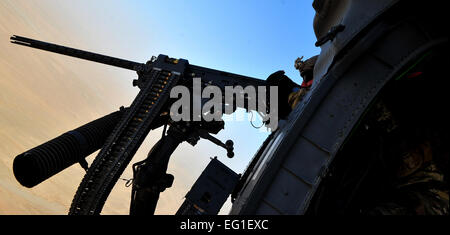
[{"x": 40, "y": 163}]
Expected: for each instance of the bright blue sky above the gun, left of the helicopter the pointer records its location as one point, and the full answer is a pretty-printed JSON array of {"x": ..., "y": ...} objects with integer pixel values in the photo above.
[{"x": 254, "y": 38}]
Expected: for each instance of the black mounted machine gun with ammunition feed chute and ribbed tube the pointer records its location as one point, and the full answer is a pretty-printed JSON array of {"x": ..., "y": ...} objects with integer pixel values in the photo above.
[{"x": 120, "y": 134}]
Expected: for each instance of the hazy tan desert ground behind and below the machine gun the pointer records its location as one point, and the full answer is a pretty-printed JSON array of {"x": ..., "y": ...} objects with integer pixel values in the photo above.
[{"x": 43, "y": 95}]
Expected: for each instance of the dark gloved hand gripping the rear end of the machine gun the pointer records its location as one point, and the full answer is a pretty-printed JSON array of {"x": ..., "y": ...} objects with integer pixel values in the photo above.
[{"x": 285, "y": 87}]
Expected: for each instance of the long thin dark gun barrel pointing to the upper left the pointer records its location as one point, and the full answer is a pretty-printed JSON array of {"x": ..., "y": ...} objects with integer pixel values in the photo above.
[{"x": 126, "y": 64}]
